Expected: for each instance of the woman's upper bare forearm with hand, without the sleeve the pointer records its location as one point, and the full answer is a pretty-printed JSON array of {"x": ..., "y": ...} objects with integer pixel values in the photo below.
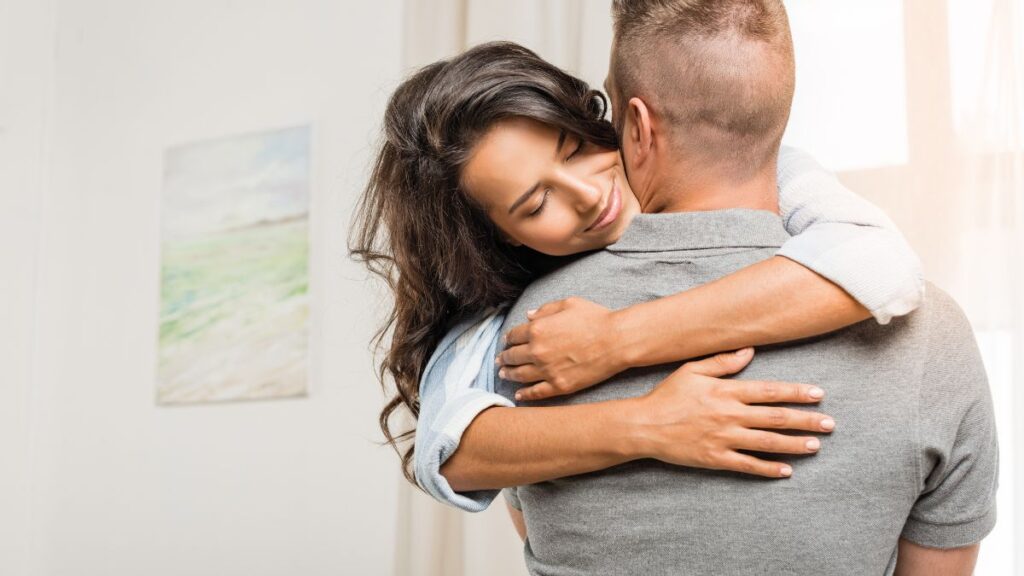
[{"x": 574, "y": 344}]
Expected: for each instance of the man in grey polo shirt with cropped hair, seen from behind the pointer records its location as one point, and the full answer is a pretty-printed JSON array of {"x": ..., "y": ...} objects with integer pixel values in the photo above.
[{"x": 702, "y": 94}]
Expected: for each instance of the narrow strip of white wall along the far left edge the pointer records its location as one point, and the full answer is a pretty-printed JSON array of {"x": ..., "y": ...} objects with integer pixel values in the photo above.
[{"x": 26, "y": 96}]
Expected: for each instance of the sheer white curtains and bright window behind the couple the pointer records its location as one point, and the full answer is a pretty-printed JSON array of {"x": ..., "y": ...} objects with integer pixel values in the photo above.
[{"x": 938, "y": 141}]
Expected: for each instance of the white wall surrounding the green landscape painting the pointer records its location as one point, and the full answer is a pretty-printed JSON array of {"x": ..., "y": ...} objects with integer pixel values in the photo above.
[{"x": 120, "y": 486}]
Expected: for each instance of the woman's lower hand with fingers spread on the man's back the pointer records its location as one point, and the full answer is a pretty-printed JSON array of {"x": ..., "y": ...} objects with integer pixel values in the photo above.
[{"x": 695, "y": 419}]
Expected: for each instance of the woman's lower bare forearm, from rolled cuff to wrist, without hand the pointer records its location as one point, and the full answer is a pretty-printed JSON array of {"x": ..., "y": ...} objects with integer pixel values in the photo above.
[{"x": 515, "y": 446}]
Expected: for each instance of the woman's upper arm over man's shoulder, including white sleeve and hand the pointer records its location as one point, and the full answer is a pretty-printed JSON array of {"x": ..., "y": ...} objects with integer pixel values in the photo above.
[{"x": 844, "y": 264}]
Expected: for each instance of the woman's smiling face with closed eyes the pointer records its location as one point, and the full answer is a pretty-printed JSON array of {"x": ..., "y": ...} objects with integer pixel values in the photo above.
[{"x": 550, "y": 191}]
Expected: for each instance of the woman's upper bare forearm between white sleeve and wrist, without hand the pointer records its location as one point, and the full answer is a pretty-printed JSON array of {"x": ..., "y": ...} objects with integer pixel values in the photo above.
[{"x": 772, "y": 302}]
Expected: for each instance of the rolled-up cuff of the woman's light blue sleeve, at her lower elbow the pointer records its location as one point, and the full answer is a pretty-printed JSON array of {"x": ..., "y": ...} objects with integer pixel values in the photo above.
[{"x": 435, "y": 454}]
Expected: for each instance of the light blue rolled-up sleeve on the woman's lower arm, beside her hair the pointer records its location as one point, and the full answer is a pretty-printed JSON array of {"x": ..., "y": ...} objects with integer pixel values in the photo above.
[{"x": 457, "y": 386}]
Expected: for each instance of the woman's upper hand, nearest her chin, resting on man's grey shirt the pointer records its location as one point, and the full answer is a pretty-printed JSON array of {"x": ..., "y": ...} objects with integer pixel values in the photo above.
[{"x": 566, "y": 347}]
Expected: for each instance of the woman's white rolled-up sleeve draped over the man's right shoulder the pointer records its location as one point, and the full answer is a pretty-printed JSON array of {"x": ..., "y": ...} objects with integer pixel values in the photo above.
[{"x": 846, "y": 239}]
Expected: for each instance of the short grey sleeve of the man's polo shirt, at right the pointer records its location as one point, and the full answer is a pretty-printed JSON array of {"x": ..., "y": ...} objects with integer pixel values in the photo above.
[{"x": 958, "y": 447}]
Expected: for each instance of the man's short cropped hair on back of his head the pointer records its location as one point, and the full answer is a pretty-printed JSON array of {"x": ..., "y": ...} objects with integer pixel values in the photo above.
[{"x": 720, "y": 73}]
